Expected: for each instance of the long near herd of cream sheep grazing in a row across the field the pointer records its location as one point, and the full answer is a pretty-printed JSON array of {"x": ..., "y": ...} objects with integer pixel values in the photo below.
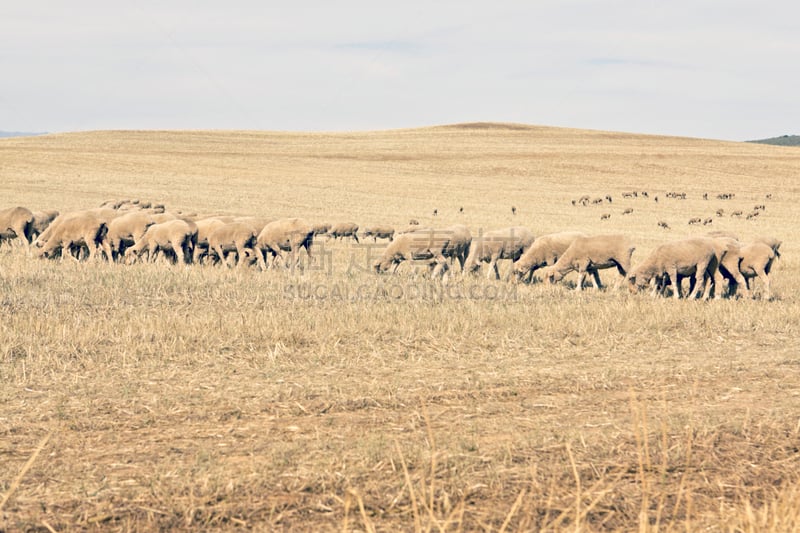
[{"x": 127, "y": 231}]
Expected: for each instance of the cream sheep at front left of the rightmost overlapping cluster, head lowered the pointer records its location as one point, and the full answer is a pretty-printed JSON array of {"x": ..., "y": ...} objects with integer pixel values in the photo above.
[{"x": 696, "y": 257}]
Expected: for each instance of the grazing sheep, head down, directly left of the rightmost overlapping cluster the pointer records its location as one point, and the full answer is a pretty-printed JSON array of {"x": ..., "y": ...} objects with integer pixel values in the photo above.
[{"x": 587, "y": 255}]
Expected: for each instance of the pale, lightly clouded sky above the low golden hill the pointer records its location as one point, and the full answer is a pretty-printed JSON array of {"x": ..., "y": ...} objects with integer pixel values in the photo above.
[{"x": 712, "y": 69}]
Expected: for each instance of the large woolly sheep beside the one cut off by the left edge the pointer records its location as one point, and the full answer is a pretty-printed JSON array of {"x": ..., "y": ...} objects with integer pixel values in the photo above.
[{"x": 76, "y": 229}]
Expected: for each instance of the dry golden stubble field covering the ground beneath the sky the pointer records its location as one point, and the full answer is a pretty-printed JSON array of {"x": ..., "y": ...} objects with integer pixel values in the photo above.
[{"x": 162, "y": 397}]
